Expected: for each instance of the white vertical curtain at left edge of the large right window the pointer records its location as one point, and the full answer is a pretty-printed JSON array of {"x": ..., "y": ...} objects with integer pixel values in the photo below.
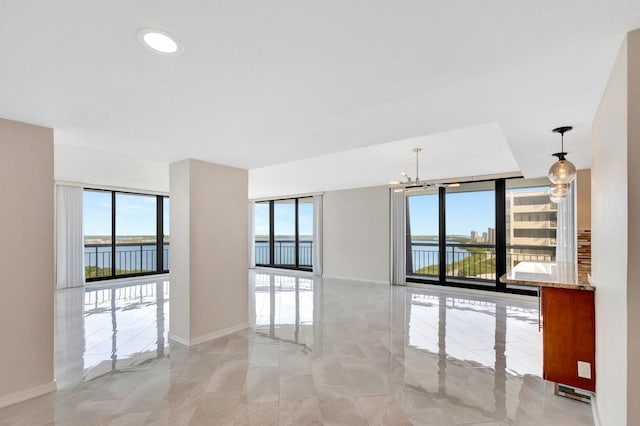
[{"x": 398, "y": 247}]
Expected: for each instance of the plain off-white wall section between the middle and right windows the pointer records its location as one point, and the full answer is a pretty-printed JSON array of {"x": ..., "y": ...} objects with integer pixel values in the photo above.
[{"x": 356, "y": 234}]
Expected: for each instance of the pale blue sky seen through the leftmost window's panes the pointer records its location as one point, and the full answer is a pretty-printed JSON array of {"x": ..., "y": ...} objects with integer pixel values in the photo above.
[{"x": 135, "y": 214}]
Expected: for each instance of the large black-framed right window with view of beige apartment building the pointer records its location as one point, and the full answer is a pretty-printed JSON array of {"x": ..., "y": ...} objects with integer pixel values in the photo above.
[{"x": 470, "y": 234}]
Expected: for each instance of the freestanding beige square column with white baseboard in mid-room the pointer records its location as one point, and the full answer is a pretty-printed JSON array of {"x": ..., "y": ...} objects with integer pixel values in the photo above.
[{"x": 209, "y": 219}]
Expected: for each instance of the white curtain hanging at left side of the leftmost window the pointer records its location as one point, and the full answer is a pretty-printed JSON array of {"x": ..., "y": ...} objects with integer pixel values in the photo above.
[{"x": 69, "y": 237}]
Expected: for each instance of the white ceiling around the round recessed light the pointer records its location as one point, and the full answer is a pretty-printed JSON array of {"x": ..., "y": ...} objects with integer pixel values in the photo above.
[{"x": 264, "y": 83}]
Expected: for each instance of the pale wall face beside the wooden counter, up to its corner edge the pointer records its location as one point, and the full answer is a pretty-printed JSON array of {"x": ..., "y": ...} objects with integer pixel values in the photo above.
[{"x": 609, "y": 231}]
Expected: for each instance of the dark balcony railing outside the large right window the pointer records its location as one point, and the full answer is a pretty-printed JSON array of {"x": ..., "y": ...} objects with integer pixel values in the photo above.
[{"x": 471, "y": 260}]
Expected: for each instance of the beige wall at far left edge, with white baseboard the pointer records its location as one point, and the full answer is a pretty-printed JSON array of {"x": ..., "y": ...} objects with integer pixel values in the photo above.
[{"x": 26, "y": 259}]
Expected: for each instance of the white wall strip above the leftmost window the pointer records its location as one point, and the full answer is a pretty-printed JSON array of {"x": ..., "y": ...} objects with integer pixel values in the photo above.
[{"x": 74, "y": 164}]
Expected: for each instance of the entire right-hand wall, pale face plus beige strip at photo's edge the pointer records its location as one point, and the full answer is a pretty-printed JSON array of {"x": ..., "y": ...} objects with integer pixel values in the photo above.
[{"x": 614, "y": 269}]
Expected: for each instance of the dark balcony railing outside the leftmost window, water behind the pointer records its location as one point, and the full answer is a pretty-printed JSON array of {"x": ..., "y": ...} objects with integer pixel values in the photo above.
[{"x": 131, "y": 258}]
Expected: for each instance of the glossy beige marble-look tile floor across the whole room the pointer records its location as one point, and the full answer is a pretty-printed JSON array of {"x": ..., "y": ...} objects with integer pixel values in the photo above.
[{"x": 319, "y": 352}]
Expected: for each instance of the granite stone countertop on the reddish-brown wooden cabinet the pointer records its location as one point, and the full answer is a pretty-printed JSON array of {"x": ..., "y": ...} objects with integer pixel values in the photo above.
[{"x": 548, "y": 274}]
